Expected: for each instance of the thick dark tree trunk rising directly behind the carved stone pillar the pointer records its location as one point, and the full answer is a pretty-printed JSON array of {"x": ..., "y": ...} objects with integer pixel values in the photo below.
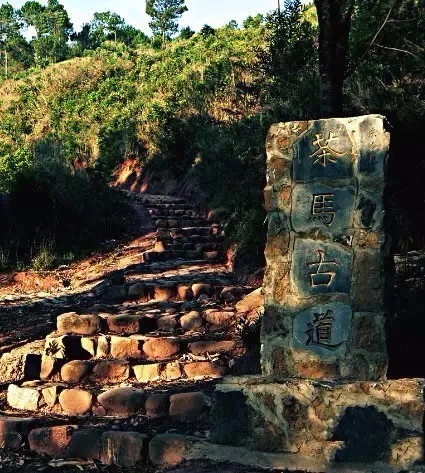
[{"x": 334, "y": 31}]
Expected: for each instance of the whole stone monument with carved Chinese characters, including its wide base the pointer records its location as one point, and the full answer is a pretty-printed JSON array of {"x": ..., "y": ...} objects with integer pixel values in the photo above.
[{"x": 324, "y": 393}]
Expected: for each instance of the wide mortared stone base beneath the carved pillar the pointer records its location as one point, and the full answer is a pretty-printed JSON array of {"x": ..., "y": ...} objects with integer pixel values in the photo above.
[{"x": 324, "y": 424}]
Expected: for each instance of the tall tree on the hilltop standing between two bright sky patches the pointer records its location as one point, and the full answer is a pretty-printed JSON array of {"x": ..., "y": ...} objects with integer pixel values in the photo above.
[{"x": 164, "y": 14}]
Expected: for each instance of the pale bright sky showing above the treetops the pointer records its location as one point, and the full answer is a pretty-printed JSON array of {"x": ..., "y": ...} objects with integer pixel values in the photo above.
[{"x": 214, "y": 12}]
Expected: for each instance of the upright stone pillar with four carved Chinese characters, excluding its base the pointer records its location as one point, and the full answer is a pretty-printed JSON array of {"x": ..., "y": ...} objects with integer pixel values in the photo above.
[{"x": 326, "y": 250}]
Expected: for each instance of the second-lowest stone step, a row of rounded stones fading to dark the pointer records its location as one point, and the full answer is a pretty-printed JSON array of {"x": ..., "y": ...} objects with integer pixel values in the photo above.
[{"x": 61, "y": 399}]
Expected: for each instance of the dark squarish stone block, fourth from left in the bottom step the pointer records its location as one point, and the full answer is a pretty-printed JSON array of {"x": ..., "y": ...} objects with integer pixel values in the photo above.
[{"x": 124, "y": 449}]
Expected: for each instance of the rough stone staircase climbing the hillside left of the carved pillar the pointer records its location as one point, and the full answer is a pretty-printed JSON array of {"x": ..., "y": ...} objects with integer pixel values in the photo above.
[{"x": 142, "y": 358}]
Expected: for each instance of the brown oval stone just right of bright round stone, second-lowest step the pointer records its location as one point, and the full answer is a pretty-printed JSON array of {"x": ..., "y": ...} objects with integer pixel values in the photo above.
[{"x": 122, "y": 401}]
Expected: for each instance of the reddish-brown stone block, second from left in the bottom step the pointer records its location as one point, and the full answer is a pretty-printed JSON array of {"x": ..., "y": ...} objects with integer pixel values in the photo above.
[{"x": 52, "y": 441}]
